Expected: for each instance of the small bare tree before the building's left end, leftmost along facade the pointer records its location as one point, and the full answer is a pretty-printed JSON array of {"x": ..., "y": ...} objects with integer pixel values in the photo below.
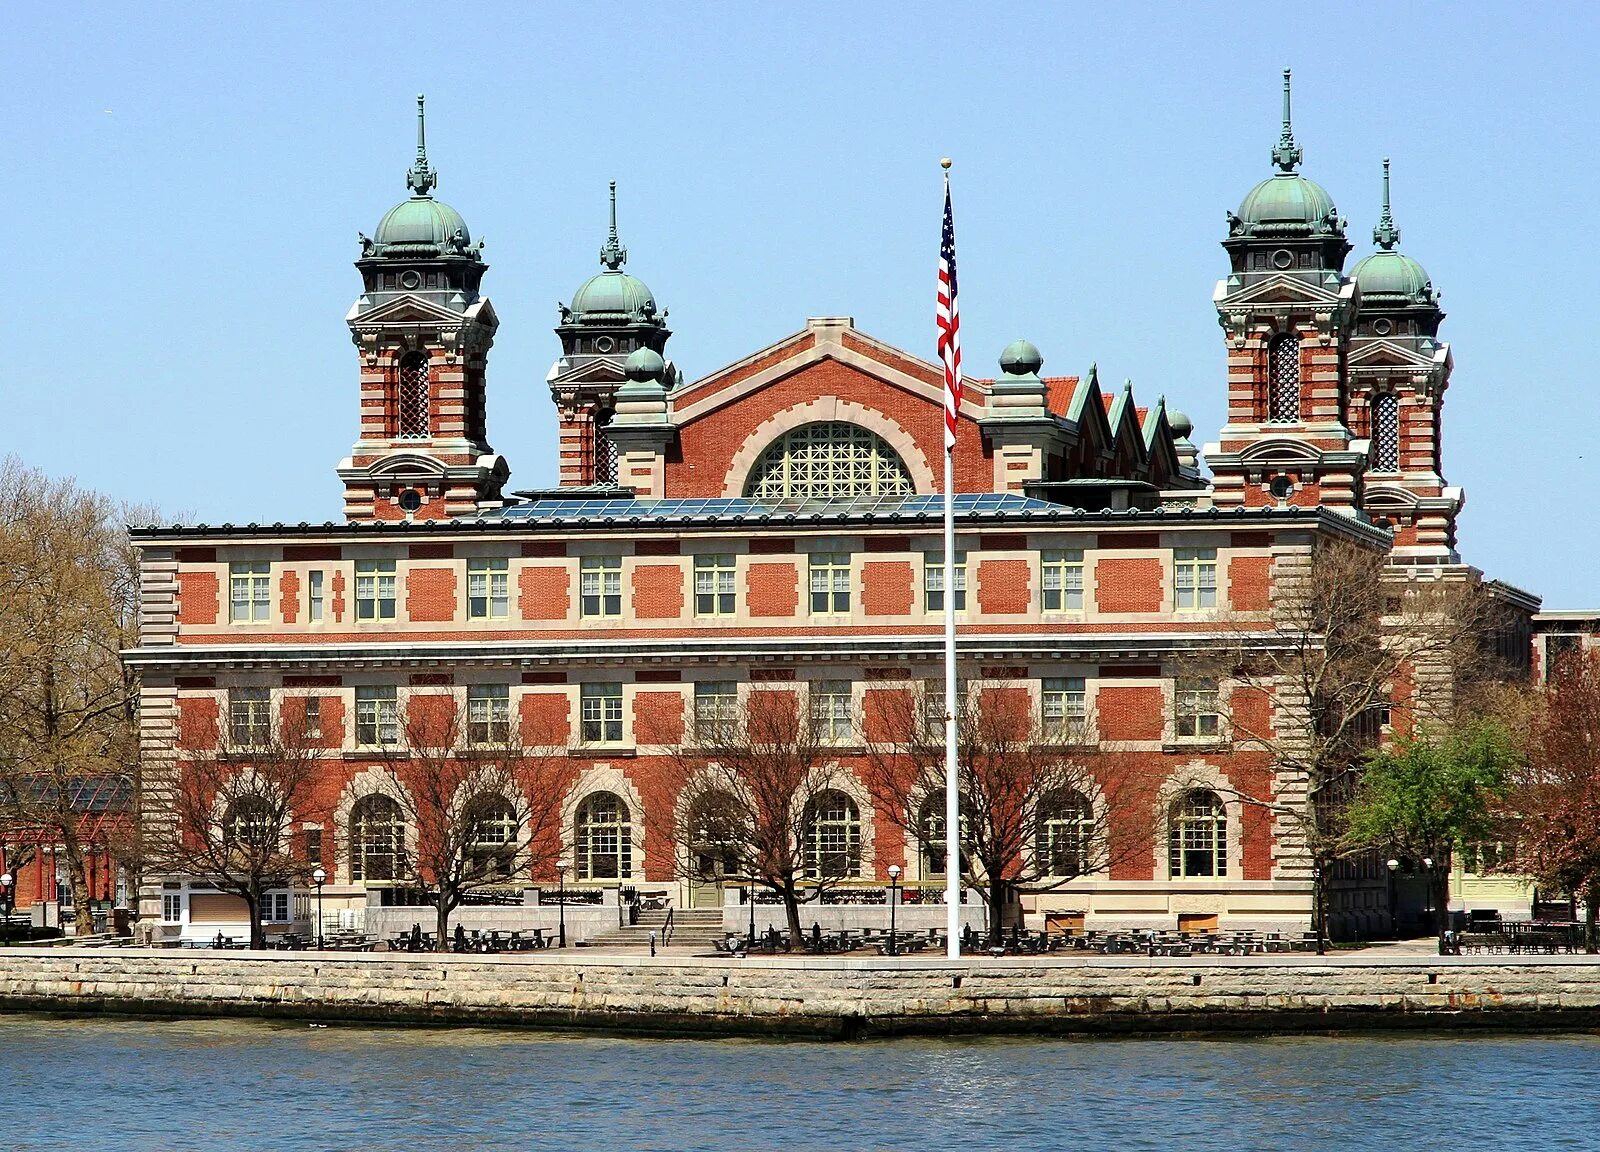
[{"x": 244, "y": 785}]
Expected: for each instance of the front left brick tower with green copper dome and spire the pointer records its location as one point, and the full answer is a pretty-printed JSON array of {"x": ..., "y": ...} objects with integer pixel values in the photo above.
[{"x": 425, "y": 334}]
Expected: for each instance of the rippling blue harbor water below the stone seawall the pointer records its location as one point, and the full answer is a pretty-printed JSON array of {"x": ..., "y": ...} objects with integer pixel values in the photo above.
[{"x": 156, "y": 1086}]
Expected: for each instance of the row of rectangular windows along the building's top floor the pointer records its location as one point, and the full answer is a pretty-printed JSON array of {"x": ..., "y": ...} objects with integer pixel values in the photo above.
[{"x": 716, "y": 594}]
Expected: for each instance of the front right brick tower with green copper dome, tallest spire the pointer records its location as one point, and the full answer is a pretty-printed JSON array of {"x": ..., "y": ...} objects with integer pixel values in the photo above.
[{"x": 1287, "y": 311}]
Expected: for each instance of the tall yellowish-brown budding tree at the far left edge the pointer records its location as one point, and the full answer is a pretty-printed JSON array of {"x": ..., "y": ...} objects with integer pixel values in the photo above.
[{"x": 68, "y": 609}]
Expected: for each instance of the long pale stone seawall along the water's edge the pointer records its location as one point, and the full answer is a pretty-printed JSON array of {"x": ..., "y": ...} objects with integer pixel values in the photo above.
[{"x": 825, "y": 998}]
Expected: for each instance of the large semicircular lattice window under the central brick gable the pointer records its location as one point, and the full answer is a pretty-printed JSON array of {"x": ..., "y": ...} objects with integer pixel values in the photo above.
[{"x": 828, "y": 462}]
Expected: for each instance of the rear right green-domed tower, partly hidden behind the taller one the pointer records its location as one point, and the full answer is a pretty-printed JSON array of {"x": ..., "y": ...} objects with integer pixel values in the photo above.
[{"x": 1399, "y": 374}]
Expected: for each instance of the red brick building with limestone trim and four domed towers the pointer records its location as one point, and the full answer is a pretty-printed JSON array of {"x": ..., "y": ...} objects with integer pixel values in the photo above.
[{"x": 775, "y": 526}]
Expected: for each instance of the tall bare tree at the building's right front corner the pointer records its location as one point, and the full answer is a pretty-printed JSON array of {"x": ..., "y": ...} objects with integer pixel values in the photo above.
[{"x": 1351, "y": 647}]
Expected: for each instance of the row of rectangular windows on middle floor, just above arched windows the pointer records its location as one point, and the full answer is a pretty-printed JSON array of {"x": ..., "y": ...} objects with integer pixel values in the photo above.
[{"x": 833, "y": 711}]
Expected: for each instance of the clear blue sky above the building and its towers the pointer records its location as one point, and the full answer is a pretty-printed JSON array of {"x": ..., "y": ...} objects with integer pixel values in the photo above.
[{"x": 185, "y": 186}]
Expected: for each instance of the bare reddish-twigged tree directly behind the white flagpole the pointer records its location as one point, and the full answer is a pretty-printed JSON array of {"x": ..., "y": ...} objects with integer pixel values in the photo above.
[{"x": 1041, "y": 804}]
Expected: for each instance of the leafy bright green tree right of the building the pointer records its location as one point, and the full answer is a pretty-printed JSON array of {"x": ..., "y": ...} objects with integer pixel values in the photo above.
[{"x": 1431, "y": 794}]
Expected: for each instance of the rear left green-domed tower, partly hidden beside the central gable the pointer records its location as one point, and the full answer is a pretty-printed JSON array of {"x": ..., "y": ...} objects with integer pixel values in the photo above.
[{"x": 612, "y": 318}]
